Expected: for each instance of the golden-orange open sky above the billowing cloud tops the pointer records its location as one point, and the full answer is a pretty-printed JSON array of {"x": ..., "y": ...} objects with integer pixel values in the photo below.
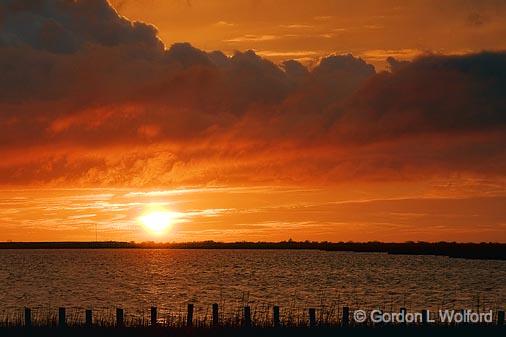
[{"x": 287, "y": 29}]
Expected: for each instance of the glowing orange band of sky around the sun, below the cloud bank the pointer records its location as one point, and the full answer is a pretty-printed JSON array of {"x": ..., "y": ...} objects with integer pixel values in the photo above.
[{"x": 254, "y": 213}]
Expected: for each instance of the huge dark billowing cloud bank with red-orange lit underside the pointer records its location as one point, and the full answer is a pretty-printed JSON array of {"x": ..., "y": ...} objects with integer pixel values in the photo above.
[{"x": 90, "y": 98}]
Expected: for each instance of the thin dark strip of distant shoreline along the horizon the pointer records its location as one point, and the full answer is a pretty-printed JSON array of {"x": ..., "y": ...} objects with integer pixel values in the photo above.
[{"x": 484, "y": 251}]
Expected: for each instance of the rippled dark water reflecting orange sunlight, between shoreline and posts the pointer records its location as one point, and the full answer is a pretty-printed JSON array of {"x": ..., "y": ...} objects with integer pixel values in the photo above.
[{"x": 137, "y": 279}]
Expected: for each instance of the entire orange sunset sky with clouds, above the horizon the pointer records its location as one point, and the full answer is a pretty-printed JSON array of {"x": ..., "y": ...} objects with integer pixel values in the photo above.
[{"x": 252, "y": 120}]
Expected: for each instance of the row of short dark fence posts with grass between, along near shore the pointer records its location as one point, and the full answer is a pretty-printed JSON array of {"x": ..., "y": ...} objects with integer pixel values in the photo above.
[{"x": 244, "y": 317}]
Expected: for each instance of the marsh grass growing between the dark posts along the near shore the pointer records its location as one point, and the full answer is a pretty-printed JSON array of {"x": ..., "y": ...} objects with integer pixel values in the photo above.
[{"x": 230, "y": 316}]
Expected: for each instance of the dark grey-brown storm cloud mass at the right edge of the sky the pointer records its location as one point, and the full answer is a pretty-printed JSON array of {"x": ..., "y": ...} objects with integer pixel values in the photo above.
[{"x": 433, "y": 94}]
